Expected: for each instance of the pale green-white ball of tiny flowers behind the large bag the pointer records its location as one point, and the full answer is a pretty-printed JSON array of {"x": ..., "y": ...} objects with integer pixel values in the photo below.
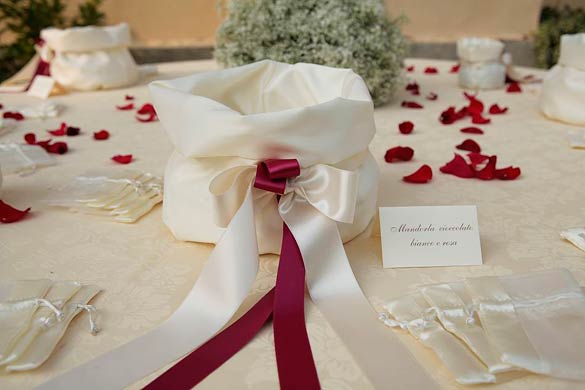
[{"x": 354, "y": 34}]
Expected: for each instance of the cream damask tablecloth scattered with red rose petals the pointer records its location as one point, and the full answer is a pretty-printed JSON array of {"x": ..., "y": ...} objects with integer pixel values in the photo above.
[{"x": 146, "y": 273}]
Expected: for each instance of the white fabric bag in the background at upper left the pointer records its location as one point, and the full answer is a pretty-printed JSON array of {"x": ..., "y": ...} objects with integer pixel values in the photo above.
[{"x": 91, "y": 57}]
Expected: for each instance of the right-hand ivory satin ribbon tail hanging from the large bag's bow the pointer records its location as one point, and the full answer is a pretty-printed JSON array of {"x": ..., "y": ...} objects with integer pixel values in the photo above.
[{"x": 335, "y": 291}]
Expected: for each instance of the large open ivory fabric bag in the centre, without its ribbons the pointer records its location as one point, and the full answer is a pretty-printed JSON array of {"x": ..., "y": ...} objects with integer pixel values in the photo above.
[{"x": 237, "y": 117}]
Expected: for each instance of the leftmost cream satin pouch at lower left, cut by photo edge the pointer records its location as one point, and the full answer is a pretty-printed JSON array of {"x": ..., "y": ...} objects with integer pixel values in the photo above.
[{"x": 18, "y": 303}]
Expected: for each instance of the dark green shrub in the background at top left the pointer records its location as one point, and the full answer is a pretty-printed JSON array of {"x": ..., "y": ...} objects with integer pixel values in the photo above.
[{"x": 25, "y": 19}]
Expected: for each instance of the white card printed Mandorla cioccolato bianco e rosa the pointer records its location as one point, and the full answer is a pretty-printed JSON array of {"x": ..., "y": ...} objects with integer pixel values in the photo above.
[{"x": 430, "y": 236}]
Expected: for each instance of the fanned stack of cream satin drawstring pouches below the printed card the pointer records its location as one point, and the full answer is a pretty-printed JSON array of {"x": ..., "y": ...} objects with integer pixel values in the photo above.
[{"x": 533, "y": 322}]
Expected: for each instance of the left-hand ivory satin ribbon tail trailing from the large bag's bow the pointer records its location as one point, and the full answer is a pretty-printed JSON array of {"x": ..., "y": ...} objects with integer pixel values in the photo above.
[{"x": 221, "y": 288}]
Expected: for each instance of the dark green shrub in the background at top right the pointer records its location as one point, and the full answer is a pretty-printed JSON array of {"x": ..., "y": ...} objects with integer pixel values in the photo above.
[{"x": 554, "y": 23}]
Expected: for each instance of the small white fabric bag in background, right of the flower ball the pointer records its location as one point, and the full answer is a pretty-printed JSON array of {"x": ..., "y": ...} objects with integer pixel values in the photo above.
[{"x": 481, "y": 63}]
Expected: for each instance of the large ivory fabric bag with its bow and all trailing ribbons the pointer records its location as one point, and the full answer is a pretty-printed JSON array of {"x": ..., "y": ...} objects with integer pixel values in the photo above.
[{"x": 269, "y": 158}]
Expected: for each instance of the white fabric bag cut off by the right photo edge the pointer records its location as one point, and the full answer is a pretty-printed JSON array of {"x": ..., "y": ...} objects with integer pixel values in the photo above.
[{"x": 563, "y": 90}]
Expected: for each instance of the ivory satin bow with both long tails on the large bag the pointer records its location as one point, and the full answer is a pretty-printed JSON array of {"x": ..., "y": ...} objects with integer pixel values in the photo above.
[{"x": 312, "y": 203}]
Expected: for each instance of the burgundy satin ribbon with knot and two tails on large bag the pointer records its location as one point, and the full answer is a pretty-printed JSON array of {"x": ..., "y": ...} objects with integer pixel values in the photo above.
[{"x": 284, "y": 303}]
